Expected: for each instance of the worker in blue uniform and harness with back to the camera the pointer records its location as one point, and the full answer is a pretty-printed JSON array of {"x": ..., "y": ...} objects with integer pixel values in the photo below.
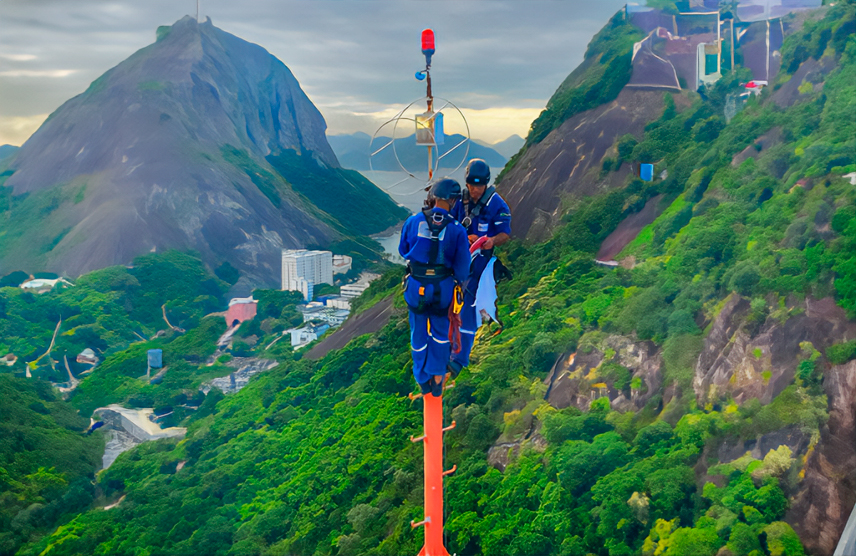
[{"x": 437, "y": 251}]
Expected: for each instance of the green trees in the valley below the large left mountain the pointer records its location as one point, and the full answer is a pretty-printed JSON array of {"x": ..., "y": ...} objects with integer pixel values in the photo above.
[{"x": 118, "y": 313}]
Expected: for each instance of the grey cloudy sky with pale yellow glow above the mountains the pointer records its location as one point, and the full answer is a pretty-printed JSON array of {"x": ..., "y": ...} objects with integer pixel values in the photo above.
[{"x": 498, "y": 60}]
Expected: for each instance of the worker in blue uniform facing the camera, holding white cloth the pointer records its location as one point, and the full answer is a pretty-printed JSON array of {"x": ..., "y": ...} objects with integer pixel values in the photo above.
[{"x": 483, "y": 213}]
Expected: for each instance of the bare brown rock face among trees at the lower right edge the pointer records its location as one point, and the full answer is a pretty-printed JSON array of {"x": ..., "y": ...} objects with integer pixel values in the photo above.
[{"x": 739, "y": 364}]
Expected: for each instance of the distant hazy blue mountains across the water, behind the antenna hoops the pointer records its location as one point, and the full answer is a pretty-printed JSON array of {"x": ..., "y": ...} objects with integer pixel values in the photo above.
[{"x": 353, "y": 152}]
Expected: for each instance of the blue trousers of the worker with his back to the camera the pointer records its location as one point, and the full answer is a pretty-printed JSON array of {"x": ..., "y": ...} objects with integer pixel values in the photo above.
[{"x": 429, "y": 347}]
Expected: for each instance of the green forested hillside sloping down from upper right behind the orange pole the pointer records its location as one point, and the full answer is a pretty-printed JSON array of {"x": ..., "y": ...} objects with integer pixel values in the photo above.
[{"x": 314, "y": 457}]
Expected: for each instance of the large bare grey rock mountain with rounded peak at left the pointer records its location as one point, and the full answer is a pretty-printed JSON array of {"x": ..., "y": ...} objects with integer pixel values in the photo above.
[{"x": 199, "y": 141}]
